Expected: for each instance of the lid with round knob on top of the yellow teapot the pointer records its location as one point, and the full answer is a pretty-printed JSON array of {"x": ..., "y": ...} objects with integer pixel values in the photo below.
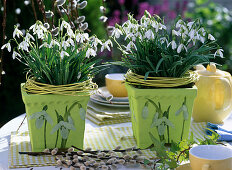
[{"x": 211, "y": 70}]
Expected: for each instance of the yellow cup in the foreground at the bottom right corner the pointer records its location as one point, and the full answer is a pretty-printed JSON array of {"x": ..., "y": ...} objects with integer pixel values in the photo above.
[{"x": 210, "y": 157}]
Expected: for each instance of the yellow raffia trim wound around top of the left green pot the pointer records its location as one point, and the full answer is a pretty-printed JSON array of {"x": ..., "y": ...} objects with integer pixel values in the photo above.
[{"x": 85, "y": 88}]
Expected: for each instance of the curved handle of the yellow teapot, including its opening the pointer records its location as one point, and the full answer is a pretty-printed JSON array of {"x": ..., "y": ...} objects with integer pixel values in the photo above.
[{"x": 223, "y": 101}]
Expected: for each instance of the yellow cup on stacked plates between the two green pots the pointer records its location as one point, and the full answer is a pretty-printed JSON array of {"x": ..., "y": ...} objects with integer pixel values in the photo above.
[{"x": 115, "y": 84}]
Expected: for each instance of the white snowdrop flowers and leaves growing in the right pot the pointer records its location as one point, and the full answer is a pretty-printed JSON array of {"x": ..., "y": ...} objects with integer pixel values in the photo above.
[{"x": 153, "y": 49}]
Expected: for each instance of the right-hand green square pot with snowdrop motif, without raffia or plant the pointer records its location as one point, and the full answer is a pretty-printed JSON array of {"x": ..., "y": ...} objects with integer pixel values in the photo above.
[{"x": 163, "y": 112}]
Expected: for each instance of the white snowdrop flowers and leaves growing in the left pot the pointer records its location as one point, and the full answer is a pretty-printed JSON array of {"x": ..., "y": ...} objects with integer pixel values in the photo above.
[{"x": 63, "y": 57}]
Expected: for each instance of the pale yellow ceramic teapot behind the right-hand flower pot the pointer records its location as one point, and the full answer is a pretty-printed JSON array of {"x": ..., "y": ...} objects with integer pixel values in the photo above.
[{"x": 214, "y": 96}]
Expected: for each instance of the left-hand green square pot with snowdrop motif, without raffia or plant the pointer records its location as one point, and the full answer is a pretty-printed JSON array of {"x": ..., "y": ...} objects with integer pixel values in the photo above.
[{"x": 55, "y": 121}]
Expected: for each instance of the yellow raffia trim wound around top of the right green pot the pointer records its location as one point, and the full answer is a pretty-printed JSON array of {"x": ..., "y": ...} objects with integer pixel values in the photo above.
[{"x": 135, "y": 79}]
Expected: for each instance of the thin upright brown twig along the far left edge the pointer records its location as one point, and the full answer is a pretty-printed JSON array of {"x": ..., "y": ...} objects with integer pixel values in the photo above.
[{"x": 3, "y": 39}]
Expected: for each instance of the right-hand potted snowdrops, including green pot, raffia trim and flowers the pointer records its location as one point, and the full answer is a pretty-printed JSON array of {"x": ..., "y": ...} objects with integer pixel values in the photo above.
[{"x": 160, "y": 82}]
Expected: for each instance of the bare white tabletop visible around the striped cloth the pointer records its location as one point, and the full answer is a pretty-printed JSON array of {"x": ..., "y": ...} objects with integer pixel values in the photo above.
[{"x": 13, "y": 125}]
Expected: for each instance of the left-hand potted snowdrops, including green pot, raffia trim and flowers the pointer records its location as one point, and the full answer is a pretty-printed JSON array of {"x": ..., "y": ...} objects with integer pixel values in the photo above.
[{"x": 60, "y": 68}]
